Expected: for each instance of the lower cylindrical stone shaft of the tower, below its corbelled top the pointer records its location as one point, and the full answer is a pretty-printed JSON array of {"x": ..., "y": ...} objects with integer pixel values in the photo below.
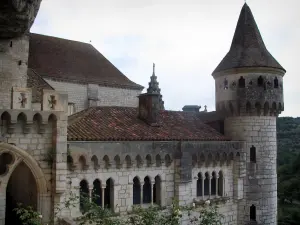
[{"x": 260, "y": 183}]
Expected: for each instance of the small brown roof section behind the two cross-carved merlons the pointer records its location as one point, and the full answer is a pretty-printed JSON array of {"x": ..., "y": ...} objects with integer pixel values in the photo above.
[{"x": 37, "y": 84}]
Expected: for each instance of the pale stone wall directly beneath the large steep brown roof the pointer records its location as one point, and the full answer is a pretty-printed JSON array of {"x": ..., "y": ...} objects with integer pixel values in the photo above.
[{"x": 107, "y": 96}]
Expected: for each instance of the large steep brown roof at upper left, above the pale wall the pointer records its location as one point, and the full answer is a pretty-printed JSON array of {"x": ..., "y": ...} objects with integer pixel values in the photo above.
[{"x": 73, "y": 61}]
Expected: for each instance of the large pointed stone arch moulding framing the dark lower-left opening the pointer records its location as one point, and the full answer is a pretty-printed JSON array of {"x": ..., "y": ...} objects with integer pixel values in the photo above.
[{"x": 42, "y": 189}]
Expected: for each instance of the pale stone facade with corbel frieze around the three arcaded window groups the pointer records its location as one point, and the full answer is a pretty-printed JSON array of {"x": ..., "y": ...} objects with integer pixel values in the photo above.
[{"x": 123, "y": 161}]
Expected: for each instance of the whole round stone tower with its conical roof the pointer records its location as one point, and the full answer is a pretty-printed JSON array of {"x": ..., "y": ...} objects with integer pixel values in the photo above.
[{"x": 249, "y": 92}]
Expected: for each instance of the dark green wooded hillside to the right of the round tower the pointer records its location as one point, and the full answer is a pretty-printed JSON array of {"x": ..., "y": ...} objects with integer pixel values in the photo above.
[{"x": 288, "y": 136}]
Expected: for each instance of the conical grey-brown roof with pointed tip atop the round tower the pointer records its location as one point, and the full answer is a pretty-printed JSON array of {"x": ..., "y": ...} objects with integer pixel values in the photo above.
[{"x": 247, "y": 47}]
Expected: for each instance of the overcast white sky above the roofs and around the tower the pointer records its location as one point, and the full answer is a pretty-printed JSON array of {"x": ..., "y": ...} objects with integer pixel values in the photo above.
[{"x": 185, "y": 38}]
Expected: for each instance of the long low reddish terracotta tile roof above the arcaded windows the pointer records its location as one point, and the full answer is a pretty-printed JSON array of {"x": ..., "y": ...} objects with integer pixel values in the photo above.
[{"x": 122, "y": 123}]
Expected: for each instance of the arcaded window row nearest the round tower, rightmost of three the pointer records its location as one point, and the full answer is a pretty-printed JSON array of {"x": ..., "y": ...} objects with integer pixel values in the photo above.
[{"x": 210, "y": 185}]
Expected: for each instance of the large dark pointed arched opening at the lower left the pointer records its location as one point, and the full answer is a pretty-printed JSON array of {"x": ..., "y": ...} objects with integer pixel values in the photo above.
[{"x": 21, "y": 188}]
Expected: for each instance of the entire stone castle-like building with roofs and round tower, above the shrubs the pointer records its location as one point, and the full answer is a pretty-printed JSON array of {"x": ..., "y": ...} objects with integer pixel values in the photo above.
[{"x": 71, "y": 121}]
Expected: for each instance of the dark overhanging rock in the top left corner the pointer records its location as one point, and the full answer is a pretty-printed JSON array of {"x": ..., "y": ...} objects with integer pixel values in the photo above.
[{"x": 17, "y": 16}]
